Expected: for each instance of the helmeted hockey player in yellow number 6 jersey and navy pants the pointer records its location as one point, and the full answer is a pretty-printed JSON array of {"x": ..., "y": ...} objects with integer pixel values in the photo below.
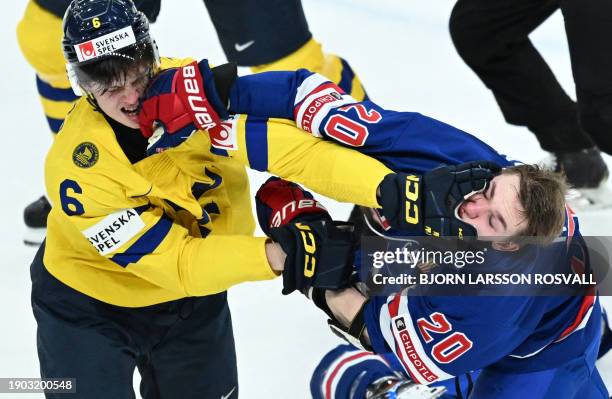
[{"x": 140, "y": 250}]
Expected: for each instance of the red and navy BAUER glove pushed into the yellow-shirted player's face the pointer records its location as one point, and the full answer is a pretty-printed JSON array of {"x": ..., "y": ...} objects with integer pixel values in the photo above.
[{"x": 181, "y": 100}]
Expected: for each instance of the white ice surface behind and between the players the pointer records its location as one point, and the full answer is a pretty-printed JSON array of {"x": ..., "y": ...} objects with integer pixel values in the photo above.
[{"x": 402, "y": 52}]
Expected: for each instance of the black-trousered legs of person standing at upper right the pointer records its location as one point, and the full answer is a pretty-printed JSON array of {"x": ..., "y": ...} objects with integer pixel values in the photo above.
[{"x": 492, "y": 37}]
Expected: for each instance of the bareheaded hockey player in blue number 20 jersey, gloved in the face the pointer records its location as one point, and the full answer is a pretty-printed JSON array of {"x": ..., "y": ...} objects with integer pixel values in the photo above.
[{"x": 541, "y": 347}]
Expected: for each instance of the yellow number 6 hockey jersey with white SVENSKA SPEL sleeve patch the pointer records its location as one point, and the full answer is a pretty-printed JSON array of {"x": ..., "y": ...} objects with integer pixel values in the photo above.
[{"x": 178, "y": 223}]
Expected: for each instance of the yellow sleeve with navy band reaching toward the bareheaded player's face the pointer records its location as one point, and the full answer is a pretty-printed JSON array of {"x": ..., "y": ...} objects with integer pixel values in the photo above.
[{"x": 279, "y": 147}]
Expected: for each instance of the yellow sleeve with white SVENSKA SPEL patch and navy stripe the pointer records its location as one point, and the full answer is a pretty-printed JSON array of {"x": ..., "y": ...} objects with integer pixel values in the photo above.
[{"x": 144, "y": 240}]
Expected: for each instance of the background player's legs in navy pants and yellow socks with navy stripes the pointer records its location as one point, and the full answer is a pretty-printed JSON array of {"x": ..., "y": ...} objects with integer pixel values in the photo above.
[{"x": 270, "y": 35}]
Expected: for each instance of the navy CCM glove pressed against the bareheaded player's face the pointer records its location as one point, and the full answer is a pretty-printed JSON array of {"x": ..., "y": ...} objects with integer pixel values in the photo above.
[{"x": 427, "y": 204}]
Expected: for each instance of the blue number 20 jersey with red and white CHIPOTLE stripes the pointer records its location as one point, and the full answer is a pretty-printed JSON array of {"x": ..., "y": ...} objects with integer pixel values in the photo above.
[{"x": 433, "y": 338}]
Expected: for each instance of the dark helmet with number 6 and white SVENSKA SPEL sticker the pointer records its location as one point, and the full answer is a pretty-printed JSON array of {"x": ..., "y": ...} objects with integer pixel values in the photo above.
[{"x": 104, "y": 39}]
